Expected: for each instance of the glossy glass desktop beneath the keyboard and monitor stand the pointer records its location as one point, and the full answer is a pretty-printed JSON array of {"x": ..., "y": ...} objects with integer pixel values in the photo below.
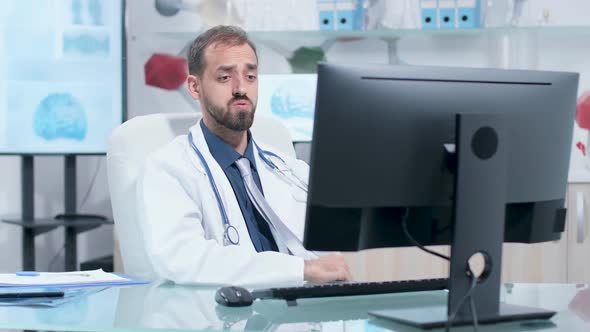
[{"x": 168, "y": 307}]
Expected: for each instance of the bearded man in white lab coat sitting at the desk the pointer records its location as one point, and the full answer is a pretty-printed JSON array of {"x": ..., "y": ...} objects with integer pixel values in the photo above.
[{"x": 200, "y": 198}]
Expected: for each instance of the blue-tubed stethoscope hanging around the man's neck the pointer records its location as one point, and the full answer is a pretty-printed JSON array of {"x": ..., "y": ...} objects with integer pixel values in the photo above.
[{"x": 230, "y": 233}]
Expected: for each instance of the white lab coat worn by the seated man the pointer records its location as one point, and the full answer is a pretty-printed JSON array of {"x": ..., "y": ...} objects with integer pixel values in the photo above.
[{"x": 182, "y": 227}]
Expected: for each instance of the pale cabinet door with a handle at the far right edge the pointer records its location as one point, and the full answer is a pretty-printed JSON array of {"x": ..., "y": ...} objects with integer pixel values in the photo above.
[{"x": 578, "y": 249}]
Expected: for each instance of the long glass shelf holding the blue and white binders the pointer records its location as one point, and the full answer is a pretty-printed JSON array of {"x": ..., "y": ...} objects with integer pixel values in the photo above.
[{"x": 397, "y": 33}]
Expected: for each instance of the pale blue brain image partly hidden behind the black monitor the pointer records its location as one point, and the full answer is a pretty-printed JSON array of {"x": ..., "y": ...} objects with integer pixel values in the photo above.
[{"x": 293, "y": 99}]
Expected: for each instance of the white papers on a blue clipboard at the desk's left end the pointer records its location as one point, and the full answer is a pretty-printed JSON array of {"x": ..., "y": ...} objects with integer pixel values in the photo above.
[{"x": 66, "y": 279}]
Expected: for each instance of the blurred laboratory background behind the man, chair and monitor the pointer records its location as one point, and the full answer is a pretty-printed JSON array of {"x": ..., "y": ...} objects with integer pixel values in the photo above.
[{"x": 73, "y": 70}]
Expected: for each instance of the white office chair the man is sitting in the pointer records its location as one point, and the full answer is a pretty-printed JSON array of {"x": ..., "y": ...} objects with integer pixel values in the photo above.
[{"x": 130, "y": 144}]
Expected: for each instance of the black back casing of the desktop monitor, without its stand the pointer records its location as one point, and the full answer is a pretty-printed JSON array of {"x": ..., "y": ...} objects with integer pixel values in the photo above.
[{"x": 379, "y": 152}]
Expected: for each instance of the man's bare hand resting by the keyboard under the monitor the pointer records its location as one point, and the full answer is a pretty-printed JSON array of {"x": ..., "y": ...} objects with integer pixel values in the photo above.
[{"x": 326, "y": 269}]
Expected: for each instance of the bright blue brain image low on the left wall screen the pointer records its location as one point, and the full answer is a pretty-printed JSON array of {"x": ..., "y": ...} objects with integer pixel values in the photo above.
[{"x": 60, "y": 115}]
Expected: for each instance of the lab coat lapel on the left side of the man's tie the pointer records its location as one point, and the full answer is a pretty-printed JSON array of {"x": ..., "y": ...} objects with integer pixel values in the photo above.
[{"x": 226, "y": 192}]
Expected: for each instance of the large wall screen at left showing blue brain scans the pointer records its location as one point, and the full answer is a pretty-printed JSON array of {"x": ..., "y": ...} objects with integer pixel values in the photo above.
[{"x": 61, "y": 75}]
